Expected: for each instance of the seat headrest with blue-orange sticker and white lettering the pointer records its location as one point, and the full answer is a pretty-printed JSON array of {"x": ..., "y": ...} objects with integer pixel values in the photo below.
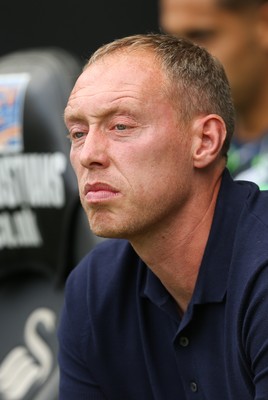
[{"x": 38, "y": 192}]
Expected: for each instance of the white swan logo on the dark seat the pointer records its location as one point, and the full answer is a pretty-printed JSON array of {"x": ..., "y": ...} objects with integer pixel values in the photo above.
[{"x": 25, "y": 367}]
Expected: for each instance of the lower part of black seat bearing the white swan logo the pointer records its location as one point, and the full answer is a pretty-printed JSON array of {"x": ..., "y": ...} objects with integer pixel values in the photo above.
[{"x": 29, "y": 312}]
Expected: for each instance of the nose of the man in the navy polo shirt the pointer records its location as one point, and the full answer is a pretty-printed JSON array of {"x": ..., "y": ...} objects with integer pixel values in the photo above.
[{"x": 94, "y": 153}]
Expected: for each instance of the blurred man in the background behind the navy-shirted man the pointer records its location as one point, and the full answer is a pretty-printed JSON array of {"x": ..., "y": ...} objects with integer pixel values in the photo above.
[{"x": 236, "y": 32}]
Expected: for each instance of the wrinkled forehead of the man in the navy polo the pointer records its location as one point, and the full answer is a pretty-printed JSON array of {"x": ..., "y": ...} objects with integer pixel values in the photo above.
[{"x": 117, "y": 78}]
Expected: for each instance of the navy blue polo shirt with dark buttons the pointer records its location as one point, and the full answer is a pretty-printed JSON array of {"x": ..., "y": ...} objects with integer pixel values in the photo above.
[{"x": 121, "y": 336}]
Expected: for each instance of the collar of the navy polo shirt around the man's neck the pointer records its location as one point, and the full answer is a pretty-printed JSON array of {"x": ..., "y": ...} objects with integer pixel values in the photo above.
[{"x": 213, "y": 274}]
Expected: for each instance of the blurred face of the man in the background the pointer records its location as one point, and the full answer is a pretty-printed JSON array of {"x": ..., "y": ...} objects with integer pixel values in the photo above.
[{"x": 232, "y": 37}]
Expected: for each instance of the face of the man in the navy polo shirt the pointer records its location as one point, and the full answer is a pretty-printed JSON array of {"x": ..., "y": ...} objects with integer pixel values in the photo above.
[{"x": 131, "y": 158}]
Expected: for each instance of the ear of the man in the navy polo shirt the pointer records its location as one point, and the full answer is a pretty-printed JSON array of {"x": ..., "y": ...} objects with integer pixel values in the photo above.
[{"x": 209, "y": 136}]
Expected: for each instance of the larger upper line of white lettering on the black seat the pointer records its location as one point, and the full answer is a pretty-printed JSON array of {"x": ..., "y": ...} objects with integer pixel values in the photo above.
[{"x": 32, "y": 179}]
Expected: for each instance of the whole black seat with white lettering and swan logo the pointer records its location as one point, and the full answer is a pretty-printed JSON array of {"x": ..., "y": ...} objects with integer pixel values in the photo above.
[{"x": 43, "y": 230}]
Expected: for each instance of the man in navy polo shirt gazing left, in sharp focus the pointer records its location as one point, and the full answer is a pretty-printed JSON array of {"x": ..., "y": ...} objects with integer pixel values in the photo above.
[{"x": 177, "y": 310}]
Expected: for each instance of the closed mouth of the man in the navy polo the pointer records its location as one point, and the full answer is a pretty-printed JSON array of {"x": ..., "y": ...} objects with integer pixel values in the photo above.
[{"x": 99, "y": 192}]
